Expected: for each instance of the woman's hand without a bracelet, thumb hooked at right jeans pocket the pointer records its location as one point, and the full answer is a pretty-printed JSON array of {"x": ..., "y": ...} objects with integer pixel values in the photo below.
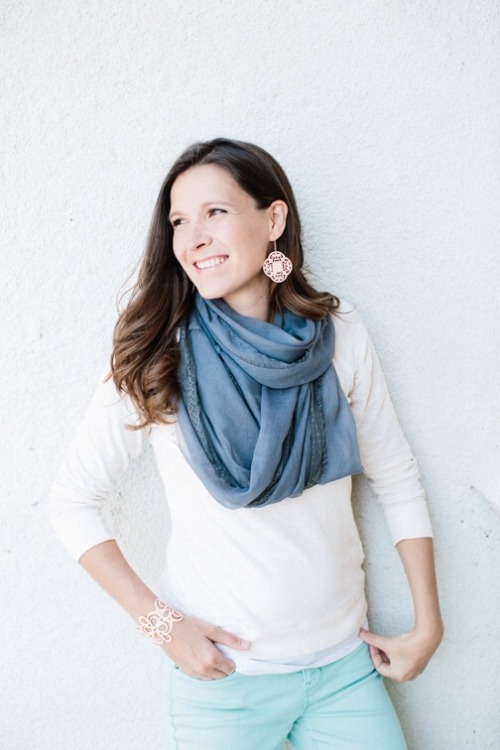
[{"x": 402, "y": 657}]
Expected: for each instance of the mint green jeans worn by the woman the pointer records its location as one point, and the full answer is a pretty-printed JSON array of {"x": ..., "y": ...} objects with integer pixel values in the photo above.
[{"x": 343, "y": 706}]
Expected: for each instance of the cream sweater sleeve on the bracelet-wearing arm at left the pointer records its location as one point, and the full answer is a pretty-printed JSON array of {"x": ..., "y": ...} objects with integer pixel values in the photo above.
[{"x": 98, "y": 453}]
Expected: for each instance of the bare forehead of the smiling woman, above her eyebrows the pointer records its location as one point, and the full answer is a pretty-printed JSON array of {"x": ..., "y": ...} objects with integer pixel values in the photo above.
[{"x": 206, "y": 182}]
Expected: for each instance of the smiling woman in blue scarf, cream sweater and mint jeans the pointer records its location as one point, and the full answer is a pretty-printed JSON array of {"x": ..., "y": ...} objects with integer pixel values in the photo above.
[{"x": 223, "y": 360}]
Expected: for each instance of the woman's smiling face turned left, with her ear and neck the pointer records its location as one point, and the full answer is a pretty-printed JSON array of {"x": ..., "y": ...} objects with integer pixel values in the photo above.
[{"x": 221, "y": 238}]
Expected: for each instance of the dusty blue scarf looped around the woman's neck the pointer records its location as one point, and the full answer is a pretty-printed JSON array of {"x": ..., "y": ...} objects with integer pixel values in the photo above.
[{"x": 262, "y": 413}]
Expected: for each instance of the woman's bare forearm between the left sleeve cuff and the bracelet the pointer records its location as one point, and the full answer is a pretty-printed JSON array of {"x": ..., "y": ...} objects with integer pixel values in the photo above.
[{"x": 108, "y": 567}]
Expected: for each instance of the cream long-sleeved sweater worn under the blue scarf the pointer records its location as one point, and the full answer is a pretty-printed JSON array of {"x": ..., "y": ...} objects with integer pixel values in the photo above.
[{"x": 287, "y": 576}]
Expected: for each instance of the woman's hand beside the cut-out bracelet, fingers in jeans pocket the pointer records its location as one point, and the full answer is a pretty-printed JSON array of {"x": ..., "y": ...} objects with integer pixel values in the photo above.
[{"x": 193, "y": 649}]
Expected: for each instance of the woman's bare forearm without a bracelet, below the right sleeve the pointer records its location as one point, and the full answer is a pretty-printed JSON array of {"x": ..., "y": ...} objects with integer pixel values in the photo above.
[{"x": 417, "y": 557}]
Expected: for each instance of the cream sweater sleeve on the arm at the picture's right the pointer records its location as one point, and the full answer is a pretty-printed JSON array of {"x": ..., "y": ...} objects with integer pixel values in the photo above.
[{"x": 386, "y": 457}]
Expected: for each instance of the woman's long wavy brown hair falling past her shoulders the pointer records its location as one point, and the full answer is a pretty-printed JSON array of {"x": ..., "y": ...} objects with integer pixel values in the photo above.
[{"x": 145, "y": 356}]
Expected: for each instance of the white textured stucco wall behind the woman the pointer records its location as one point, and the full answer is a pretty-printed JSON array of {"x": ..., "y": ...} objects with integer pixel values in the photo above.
[{"x": 385, "y": 115}]
